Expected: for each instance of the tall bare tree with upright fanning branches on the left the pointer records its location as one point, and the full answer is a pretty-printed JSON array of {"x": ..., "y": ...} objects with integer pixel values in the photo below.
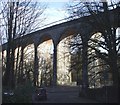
[{"x": 19, "y": 18}]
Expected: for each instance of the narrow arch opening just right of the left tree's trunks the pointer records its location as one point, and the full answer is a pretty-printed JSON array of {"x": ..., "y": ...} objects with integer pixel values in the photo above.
[{"x": 27, "y": 63}]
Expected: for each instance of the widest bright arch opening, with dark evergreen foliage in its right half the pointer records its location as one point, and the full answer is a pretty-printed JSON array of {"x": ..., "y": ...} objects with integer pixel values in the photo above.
[{"x": 69, "y": 48}]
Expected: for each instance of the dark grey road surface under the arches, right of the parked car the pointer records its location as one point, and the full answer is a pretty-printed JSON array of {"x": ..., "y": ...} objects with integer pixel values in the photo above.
[{"x": 65, "y": 94}]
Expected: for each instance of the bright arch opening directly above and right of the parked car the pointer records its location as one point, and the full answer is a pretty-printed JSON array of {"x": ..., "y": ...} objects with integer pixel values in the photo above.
[{"x": 45, "y": 56}]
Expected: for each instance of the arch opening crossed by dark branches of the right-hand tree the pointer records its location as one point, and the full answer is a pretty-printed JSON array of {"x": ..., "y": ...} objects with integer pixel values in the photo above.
[{"x": 98, "y": 69}]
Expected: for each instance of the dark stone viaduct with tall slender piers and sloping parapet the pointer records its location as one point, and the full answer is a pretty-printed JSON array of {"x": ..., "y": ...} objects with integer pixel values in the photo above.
[{"x": 85, "y": 26}]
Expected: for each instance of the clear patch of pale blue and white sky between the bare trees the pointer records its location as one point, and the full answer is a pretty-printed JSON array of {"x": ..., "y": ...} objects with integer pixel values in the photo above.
[{"x": 55, "y": 11}]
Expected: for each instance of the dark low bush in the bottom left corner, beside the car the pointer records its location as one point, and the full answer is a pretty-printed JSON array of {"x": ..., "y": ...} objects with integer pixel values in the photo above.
[{"x": 22, "y": 94}]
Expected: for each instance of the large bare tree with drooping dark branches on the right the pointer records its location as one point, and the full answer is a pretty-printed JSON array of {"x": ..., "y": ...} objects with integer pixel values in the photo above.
[{"x": 109, "y": 41}]
